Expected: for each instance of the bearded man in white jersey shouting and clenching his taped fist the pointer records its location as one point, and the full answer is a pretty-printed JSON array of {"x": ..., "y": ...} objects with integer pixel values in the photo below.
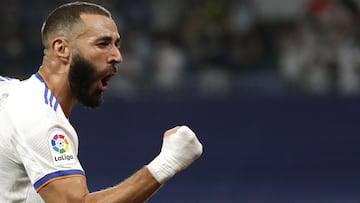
[{"x": 38, "y": 145}]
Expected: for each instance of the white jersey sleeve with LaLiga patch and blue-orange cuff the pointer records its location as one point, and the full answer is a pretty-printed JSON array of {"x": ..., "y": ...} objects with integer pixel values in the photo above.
[{"x": 49, "y": 156}]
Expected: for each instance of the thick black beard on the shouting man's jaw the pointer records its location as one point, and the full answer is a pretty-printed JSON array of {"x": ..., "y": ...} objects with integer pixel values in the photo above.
[{"x": 82, "y": 75}]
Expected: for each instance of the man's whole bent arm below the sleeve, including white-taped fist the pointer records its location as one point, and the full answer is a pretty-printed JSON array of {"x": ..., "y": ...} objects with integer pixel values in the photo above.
[{"x": 180, "y": 148}]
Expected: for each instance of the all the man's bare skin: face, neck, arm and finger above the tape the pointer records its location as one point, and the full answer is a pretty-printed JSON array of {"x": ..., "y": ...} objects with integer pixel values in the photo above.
[{"x": 97, "y": 41}]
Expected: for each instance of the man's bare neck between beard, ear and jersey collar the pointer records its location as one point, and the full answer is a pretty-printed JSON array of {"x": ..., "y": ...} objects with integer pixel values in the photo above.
[{"x": 57, "y": 81}]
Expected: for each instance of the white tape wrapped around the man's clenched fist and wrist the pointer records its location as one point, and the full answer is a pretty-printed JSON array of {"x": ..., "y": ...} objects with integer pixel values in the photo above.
[{"x": 178, "y": 151}]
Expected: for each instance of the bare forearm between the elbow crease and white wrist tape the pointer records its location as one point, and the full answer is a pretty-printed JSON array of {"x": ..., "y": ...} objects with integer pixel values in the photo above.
[{"x": 137, "y": 188}]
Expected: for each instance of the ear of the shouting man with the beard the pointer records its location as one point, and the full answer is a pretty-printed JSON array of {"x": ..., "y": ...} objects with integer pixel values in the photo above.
[{"x": 61, "y": 48}]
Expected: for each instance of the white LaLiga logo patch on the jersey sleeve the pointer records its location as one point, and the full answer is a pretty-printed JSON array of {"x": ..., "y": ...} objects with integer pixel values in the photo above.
[{"x": 60, "y": 149}]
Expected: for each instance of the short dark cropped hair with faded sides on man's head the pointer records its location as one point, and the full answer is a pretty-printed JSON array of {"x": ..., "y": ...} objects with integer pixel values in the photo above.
[{"x": 64, "y": 17}]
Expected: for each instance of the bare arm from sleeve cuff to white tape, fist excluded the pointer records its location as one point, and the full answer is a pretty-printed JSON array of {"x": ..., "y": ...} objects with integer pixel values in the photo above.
[{"x": 137, "y": 188}]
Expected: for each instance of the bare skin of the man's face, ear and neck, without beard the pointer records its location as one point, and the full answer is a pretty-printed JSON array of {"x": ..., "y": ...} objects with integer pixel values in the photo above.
[{"x": 96, "y": 40}]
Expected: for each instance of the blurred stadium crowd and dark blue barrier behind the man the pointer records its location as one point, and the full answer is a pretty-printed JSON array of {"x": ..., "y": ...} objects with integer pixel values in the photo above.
[{"x": 272, "y": 88}]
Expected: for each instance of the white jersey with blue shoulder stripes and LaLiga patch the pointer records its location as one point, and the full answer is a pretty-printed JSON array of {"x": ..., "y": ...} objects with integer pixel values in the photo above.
[{"x": 38, "y": 145}]
